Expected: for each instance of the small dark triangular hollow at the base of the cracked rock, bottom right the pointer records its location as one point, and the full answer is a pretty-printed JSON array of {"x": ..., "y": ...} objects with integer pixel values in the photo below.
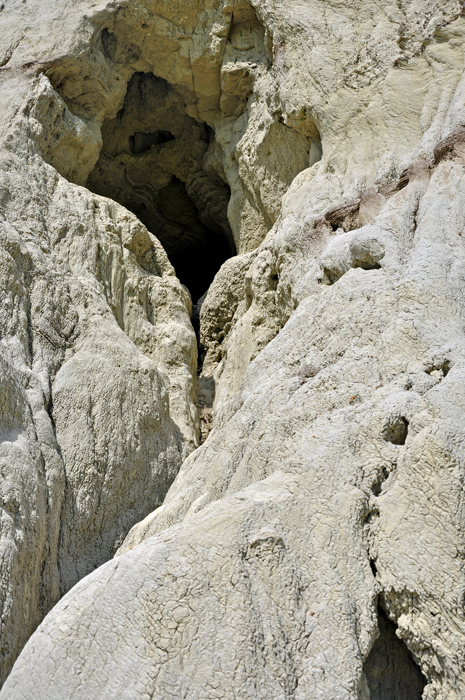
[{"x": 390, "y": 672}]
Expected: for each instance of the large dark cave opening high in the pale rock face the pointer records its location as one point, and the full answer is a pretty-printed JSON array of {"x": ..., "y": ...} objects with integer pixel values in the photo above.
[{"x": 156, "y": 161}]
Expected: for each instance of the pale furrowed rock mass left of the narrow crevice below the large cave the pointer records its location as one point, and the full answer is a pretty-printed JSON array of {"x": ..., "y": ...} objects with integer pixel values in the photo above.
[{"x": 98, "y": 378}]
